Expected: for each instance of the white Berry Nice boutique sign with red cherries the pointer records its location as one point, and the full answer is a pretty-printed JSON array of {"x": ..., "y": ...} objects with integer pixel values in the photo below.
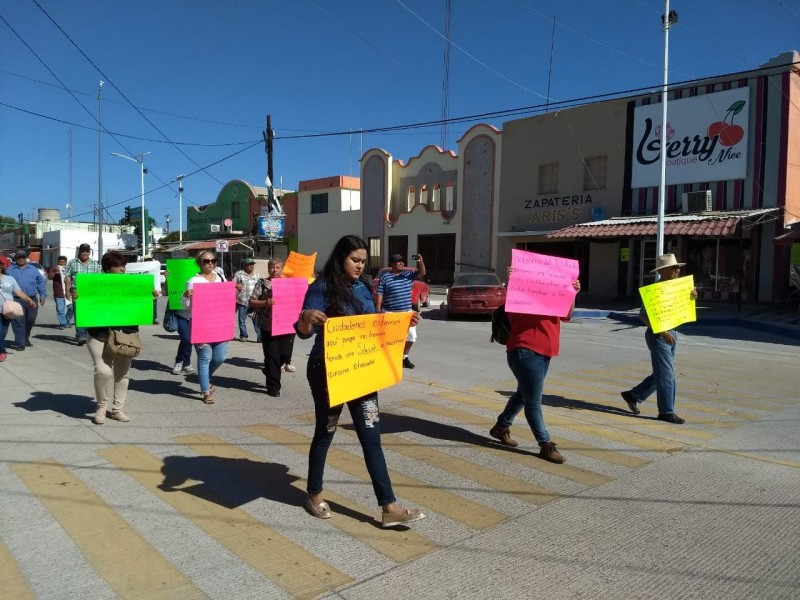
[{"x": 706, "y": 139}]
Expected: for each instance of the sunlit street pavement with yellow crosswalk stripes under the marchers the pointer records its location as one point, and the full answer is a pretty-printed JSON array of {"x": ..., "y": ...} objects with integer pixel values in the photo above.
[{"x": 196, "y": 501}]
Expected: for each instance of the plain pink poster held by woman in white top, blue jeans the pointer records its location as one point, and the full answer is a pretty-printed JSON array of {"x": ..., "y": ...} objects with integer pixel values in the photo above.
[{"x": 213, "y": 312}]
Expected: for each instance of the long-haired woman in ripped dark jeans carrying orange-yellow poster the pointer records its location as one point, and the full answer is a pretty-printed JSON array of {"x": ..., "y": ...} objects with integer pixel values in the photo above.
[{"x": 339, "y": 292}]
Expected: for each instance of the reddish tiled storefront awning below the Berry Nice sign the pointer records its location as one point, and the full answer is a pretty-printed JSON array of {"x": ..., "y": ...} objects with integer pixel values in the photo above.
[{"x": 709, "y": 224}]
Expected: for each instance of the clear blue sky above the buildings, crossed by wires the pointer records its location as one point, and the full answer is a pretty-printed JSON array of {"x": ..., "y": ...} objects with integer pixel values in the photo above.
[{"x": 204, "y": 74}]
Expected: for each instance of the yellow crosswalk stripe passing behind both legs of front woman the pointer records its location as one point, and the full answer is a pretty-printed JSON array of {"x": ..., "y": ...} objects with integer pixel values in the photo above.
[{"x": 420, "y": 492}]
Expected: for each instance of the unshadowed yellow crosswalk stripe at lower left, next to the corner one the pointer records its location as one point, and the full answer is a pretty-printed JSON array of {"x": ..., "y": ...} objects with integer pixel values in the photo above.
[{"x": 107, "y": 541}]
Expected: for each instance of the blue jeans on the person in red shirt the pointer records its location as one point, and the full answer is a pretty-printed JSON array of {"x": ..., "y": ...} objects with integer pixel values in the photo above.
[{"x": 530, "y": 369}]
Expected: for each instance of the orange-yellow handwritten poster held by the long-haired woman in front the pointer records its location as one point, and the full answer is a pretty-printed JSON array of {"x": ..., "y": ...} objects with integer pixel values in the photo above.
[{"x": 364, "y": 354}]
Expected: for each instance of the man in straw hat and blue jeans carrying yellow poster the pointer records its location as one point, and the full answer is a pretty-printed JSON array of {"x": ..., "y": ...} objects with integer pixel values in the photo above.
[{"x": 662, "y": 356}]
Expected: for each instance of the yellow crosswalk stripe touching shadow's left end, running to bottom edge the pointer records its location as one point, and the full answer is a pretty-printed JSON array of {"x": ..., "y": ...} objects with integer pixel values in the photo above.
[{"x": 289, "y": 566}]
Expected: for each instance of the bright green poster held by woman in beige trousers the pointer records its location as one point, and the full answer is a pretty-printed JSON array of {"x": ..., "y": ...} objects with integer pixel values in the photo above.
[{"x": 113, "y": 299}]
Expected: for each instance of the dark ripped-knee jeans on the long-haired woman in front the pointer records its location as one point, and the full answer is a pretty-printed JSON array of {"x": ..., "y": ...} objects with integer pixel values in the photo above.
[{"x": 365, "y": 414}]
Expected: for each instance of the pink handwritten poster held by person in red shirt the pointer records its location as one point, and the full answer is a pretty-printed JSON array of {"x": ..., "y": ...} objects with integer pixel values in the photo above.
[{"x": 541, "y": 284}]
